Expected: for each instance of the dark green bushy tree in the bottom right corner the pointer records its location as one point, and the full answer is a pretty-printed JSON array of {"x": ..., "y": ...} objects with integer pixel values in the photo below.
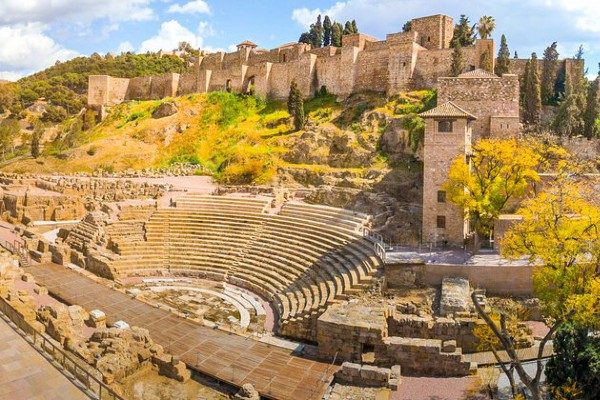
[{"x": 573, "y": 372}]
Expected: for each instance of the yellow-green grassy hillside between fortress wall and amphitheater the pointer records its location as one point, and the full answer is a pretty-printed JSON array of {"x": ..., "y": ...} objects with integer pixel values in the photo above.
[{"x": 238, "y": 139}]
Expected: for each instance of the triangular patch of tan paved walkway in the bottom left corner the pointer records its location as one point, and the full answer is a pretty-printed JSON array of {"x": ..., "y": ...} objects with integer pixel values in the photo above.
[{"x": 26, "y": 375}]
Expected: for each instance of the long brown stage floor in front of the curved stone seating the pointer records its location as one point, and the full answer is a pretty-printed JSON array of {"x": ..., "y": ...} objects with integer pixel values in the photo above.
[{"x": 275, "y": 372}]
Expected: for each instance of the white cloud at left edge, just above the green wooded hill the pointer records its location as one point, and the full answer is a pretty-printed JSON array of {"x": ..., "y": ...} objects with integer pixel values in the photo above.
[{"x": 25, "y": 48}]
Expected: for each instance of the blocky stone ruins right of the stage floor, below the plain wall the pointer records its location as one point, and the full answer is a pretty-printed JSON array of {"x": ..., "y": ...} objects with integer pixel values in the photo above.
[{"x": 397, "y": 333}]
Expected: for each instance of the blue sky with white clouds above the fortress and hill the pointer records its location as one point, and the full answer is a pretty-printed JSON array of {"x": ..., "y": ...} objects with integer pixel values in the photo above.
[{"x": 34, "y": 34}]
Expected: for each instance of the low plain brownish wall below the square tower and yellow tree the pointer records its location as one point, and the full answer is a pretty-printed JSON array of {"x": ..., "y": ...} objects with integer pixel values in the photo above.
[{"x": 497, "y": 280}]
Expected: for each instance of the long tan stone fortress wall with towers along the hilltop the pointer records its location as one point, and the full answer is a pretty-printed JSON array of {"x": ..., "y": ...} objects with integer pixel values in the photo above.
[{"x": 402, "y": 61}]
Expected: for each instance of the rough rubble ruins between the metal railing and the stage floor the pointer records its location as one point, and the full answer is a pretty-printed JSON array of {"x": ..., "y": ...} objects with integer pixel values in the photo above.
[{"x": 115, "y": 353}]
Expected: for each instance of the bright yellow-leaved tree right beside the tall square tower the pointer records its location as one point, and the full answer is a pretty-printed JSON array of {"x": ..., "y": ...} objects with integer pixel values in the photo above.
[{"x": 498, "y": 172}]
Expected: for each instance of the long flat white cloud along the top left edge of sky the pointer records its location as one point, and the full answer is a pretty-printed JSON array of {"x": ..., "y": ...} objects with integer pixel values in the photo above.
[{"x": 23, "y": 11}]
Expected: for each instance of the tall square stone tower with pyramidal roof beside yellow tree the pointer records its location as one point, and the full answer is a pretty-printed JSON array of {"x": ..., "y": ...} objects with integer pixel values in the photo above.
[{"x": 447, "y": 136}]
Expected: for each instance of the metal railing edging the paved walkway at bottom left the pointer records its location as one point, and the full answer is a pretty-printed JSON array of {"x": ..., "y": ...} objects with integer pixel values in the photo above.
[{"x": 41, "y": 342}]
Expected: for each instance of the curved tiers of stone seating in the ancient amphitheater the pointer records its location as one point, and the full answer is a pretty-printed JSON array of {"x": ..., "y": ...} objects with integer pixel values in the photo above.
[{"x": 301, "y": 259}]
